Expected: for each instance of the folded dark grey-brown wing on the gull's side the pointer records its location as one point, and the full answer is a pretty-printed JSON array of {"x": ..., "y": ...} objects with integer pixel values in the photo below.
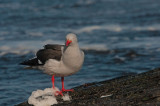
[{"x": 44, "y": 54}]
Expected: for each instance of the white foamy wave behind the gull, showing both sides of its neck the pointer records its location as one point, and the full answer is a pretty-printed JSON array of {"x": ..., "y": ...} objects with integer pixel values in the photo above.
[{"x": 25, "y": 47}]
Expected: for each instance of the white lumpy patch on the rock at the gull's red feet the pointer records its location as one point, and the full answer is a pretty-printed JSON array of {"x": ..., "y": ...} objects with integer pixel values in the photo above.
[{"x": 45, "y": 97}]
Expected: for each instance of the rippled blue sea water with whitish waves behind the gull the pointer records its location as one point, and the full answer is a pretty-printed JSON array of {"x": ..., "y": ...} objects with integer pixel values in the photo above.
[{"x": 119, "y": 37}]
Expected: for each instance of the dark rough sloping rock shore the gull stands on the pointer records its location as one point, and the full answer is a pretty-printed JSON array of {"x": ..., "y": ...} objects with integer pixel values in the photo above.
[{"x": 141, "y": 89}]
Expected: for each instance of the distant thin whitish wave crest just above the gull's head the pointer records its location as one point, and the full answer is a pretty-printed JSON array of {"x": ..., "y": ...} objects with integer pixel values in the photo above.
[{"x": 90, "y": 29}]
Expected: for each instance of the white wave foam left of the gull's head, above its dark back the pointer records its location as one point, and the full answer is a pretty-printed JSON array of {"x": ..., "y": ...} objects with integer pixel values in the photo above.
[{"x": 24, "y": 47}]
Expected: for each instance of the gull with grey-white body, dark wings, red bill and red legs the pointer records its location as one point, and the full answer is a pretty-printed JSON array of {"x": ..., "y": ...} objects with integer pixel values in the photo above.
[{"x": 59, "y": 60}]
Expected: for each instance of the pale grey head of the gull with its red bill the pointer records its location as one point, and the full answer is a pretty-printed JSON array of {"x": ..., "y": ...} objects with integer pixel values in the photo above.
[{"x": 71, "y": 39}]
